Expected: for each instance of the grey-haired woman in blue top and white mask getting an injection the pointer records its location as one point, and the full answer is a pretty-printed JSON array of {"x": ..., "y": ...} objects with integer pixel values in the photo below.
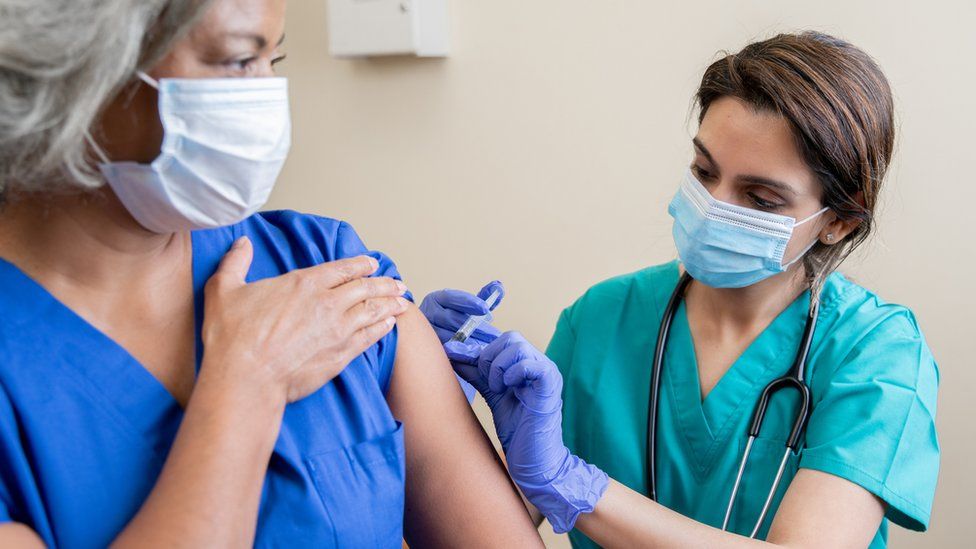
[{"x": 175, "y": 369}]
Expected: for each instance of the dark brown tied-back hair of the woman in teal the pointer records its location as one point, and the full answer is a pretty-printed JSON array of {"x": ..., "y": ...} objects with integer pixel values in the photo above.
[{"x": 839, "y": 105}]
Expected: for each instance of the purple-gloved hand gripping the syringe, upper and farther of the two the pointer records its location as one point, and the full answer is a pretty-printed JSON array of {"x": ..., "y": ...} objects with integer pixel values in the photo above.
[{"x": 447, "y": 310}]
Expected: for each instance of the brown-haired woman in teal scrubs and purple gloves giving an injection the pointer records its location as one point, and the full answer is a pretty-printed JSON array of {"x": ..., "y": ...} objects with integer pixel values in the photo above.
[{"x": 795, "y": 135}]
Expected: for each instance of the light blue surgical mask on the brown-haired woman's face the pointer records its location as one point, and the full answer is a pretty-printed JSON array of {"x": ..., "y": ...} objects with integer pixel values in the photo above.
[{"x": 727, "y": 246}]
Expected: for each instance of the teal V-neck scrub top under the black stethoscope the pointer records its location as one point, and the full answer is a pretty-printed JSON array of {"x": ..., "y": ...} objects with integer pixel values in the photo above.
[{"x": 871, "y": 374}]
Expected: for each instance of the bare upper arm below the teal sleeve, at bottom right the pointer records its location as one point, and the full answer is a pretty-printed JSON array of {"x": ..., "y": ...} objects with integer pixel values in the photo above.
[{"x": 824, "y": 510}]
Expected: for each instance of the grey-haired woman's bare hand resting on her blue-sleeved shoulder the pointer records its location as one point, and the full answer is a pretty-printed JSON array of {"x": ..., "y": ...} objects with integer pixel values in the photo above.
[{"x": 292, "y": 334}]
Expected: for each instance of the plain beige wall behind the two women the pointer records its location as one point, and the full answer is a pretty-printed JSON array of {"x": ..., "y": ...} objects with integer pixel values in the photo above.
[{"x": 544, "y": 151}]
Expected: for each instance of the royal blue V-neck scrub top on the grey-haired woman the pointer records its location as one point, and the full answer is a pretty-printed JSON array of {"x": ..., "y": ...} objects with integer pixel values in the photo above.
[{"x": 85, "y": 428}]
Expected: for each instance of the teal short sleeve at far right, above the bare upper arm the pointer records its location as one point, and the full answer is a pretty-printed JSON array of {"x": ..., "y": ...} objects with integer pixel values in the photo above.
[{"x": 874, "y": 423}]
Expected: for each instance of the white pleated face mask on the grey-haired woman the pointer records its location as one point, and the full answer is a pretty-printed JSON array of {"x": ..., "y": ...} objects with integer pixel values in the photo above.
[{"x": 225, "y": 141}]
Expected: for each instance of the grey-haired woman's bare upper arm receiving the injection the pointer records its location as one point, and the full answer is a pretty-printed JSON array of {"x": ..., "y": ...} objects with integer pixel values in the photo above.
[{"x": 458, "y": 492}]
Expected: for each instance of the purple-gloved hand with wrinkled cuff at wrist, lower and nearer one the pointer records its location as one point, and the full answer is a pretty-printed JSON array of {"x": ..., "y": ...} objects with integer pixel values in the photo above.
[{"x": 523, "y": 389}]
